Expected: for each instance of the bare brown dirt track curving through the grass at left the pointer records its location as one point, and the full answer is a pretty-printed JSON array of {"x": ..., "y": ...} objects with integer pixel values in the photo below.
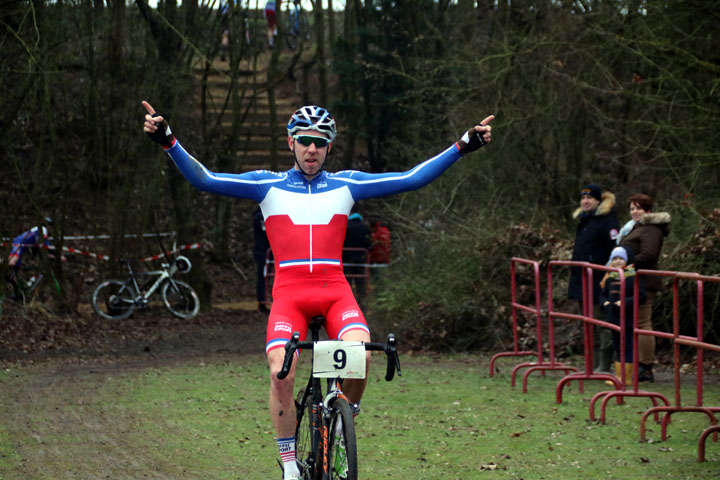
[{"x": 52, "y": 393}]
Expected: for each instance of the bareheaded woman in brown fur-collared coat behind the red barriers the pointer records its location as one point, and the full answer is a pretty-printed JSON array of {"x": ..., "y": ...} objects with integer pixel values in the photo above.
[{"x": 644, "y": 235}]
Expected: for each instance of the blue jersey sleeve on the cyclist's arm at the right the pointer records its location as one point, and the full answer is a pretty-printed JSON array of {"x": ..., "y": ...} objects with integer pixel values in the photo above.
[{"x": 368, "y": 185}]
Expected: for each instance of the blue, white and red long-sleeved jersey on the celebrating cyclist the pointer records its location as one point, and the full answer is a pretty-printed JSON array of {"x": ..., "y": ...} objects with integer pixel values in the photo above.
[{"x": 306, "y": 220}]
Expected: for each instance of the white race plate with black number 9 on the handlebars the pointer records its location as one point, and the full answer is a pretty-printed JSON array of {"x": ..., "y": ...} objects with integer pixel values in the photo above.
[{"x": 335, "y": 359}]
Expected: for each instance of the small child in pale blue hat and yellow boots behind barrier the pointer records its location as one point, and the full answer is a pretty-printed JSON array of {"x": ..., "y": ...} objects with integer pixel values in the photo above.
[{"x": 610, "y": 300}]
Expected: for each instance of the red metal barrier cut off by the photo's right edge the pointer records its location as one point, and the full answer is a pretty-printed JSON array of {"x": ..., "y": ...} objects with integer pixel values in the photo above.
[{"x": 684, "y": 340}]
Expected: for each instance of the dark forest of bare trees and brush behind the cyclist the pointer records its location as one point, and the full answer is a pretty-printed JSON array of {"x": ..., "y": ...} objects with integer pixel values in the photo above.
[{"x": 623, "y": 93}]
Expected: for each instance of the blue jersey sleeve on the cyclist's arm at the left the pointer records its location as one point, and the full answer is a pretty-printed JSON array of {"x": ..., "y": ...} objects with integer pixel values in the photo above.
[{"x": 244, "y": 185}]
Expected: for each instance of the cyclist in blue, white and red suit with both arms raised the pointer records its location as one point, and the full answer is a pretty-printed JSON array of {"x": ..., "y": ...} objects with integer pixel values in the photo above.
[{"x": 306, "y": 212}]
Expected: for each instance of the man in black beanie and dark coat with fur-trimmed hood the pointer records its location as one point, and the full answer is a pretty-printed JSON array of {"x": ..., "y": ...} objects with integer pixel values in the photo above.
[{"x": 595, "y": 237}]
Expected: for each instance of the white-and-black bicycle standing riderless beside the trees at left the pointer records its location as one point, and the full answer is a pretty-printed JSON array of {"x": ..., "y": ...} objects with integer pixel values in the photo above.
[{"x": 118, "y": 299}]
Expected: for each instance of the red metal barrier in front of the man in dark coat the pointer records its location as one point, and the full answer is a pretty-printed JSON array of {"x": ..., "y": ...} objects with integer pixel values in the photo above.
[{"x": 588, "y": 323}]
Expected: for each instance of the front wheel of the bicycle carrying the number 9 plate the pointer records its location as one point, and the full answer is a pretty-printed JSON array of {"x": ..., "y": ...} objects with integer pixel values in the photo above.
[{"x": 342, "y": 447}]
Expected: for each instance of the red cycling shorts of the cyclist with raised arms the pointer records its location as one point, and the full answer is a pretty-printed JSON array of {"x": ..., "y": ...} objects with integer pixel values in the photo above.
[{"x": 298, "y": 296}]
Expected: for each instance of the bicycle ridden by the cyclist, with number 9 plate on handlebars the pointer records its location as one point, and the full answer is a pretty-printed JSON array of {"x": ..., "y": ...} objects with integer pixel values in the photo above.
[{"x": 325, "y": 431}]
